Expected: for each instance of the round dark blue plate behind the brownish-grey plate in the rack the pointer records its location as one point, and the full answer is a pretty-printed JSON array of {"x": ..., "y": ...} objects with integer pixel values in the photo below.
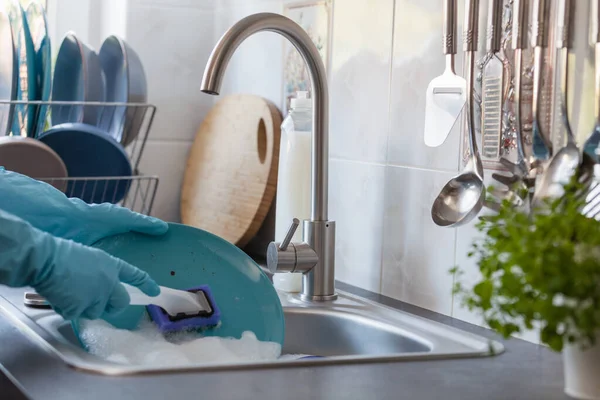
[{"x": 88, "y": 151}]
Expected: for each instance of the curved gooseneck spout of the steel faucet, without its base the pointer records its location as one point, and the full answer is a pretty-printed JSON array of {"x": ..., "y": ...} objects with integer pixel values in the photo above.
[{"x": 215, "y": 69}]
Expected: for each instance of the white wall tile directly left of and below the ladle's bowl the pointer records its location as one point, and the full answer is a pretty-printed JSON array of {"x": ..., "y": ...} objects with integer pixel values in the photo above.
[{"x": 417, "y": 254}]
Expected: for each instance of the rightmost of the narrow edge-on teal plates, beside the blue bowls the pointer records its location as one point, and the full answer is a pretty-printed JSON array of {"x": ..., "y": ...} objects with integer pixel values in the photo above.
[{"x": 38, "y": 27}]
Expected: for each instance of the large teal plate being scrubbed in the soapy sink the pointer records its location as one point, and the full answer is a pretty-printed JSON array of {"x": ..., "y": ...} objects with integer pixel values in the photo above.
[{"x": 185, "y": 257}]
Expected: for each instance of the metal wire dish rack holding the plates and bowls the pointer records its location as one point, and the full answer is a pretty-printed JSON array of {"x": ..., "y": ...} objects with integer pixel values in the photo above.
[{"x": 127, "y": 123}]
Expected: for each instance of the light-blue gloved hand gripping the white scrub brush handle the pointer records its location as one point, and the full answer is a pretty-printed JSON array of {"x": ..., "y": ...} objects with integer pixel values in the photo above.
[{"x": 77, "y": 280}]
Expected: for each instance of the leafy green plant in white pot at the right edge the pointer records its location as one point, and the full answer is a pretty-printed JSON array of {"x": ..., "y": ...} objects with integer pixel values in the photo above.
[{"x": 542, "y": 269}]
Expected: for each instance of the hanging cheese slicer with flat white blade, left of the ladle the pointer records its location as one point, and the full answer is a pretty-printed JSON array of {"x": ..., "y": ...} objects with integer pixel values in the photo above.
[{"x": 446, "y": 94}]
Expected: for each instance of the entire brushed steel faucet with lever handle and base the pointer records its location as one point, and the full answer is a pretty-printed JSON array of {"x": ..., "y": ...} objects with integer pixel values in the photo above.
[{"x": 314, "y": 257}]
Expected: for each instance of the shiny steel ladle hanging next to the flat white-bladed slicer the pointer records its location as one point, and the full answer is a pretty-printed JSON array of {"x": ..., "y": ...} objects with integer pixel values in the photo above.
[{"x": 462, "y": 197}]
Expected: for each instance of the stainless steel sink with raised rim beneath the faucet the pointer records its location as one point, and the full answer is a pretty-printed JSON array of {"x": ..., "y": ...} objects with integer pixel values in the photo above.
[{"x": 350, "y": 329}]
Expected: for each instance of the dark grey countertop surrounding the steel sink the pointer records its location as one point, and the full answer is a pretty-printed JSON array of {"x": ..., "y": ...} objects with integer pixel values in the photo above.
[{"x": 523, "y": 371}]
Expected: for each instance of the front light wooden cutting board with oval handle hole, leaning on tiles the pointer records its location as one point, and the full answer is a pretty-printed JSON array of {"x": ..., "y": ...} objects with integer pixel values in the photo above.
[{"x": 231, "y": 174}]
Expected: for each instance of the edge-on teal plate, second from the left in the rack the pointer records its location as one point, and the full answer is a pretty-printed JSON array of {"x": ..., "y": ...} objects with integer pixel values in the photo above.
[{"x": 24, "y": 118}]
